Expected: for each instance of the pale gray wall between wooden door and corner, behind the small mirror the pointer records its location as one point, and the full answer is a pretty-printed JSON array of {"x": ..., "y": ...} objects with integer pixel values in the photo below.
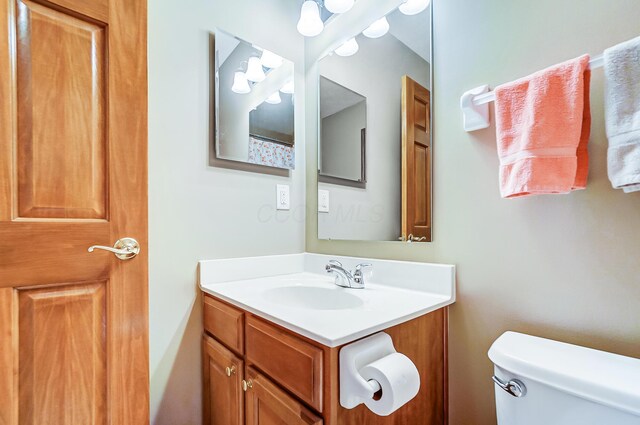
[{"x": 196, "y": 211}]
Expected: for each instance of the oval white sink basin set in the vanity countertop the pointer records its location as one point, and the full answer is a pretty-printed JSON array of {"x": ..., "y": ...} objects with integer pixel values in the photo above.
[{"x": 313, "y": 298}]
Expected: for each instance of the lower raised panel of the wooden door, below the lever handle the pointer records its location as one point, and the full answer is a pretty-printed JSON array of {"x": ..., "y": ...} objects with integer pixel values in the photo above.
[{"x": 62, "y": 354}]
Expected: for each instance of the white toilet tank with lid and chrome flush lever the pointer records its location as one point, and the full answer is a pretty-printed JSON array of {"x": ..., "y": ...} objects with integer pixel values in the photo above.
[{"x": 563, "y": 384}]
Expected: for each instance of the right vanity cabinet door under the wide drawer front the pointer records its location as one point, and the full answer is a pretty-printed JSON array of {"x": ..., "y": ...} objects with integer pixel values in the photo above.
[{"x": 266, "y": 404}]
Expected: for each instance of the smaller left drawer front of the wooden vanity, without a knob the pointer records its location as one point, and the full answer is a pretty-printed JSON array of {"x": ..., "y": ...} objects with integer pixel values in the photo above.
[{"x": 225, "y": 323}]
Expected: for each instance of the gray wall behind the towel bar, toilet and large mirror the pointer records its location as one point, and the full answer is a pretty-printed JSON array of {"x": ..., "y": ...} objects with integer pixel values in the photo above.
[{"x": 563, "y": 267}]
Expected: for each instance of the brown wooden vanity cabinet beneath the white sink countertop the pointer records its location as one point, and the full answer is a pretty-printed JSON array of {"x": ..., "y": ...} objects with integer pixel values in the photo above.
[{"x": 259, "y": 373}]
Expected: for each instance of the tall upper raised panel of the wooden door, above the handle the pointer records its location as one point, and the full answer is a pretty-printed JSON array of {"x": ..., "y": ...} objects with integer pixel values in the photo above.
[{"x": 61, "y": 136}]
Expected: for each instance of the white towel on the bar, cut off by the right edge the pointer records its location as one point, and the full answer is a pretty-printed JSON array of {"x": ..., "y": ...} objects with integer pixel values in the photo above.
[{"x": 622, "y": 114}]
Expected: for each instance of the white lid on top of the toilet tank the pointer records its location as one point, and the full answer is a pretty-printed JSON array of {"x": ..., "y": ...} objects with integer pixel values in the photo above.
[{"x": 598, "y": 376}]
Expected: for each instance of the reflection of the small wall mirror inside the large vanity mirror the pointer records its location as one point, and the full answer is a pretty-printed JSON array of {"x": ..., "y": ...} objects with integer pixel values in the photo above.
[{"x": 343, "y": 129}]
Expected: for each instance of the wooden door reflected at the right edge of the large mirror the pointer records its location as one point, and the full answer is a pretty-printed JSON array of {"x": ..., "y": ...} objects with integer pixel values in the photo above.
[{"x": 416, "y": 161}]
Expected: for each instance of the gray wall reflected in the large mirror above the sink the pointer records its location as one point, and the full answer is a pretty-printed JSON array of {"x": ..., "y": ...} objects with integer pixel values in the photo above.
[{"x": 375, "y": 72}]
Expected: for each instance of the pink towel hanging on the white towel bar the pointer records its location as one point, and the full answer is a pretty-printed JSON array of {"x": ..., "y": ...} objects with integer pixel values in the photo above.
[{"x": 543, "y": 123}]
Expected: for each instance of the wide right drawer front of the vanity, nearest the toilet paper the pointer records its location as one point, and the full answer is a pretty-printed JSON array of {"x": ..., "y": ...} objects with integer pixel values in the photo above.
[{"x": 290, "y": 361}]
